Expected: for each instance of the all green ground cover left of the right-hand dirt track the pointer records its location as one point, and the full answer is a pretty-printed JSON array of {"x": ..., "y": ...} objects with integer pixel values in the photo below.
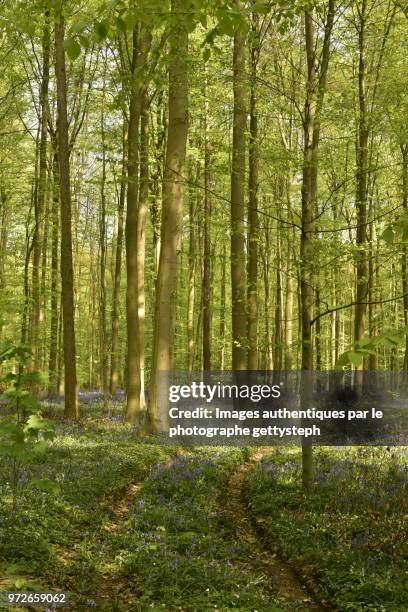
[{"x": 171, "y": 551}]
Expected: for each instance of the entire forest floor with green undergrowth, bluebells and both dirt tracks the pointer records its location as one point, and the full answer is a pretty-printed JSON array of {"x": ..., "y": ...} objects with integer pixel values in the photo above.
[{"x": 136, "y": 526}]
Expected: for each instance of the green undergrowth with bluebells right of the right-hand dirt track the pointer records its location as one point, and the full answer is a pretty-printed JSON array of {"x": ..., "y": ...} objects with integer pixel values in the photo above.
[{"x": 349, "y": 534}]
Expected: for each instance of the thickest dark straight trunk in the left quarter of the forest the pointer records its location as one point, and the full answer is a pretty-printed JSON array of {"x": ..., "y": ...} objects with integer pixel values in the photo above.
[{"x": 67, "y": 275}]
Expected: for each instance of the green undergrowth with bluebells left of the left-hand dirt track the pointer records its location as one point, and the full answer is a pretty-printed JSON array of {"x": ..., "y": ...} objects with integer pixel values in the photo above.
[{"x": 91, "y": 462}]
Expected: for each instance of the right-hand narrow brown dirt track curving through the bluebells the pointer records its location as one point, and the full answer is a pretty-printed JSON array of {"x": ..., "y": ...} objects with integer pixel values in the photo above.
[{"x": 280, "y": 577}]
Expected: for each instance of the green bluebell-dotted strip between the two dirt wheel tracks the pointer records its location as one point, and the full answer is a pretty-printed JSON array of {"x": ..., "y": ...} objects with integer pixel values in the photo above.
[{"x": 177, "y": 546}]
